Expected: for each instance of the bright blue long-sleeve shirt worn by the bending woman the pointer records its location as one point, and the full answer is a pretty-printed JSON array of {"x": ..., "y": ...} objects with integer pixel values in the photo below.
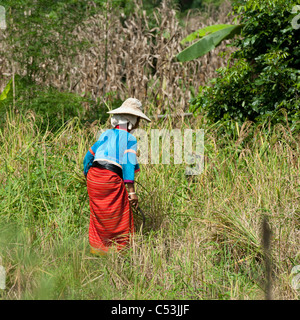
[{"x": 118, "y": 147}]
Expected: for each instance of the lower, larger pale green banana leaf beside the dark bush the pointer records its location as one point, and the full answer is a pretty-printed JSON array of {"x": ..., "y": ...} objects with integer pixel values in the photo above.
[{"x": 208, "y": 43}]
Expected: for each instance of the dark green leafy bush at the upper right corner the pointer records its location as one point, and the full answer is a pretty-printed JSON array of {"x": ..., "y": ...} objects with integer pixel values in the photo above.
[{"x": 263, "y": 75}]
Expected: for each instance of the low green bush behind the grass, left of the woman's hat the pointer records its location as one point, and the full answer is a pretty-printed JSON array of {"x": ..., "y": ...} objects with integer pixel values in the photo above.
[{"x": 52, "y": 107}]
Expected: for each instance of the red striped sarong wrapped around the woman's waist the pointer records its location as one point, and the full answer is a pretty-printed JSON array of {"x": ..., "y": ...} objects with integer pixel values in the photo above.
[{"x": 111, "y": 218}]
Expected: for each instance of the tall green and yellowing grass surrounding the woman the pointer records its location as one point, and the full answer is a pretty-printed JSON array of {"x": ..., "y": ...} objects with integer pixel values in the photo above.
[{"x": 202, "y": 238}]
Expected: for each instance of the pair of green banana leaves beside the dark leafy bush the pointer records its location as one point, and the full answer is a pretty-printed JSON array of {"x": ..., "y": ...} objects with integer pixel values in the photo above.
[{"x": 210, "y": 38}]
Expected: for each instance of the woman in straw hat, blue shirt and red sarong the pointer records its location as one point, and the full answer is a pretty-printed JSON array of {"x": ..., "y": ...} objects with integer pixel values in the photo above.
[{"x": 109, "y": 165}]
